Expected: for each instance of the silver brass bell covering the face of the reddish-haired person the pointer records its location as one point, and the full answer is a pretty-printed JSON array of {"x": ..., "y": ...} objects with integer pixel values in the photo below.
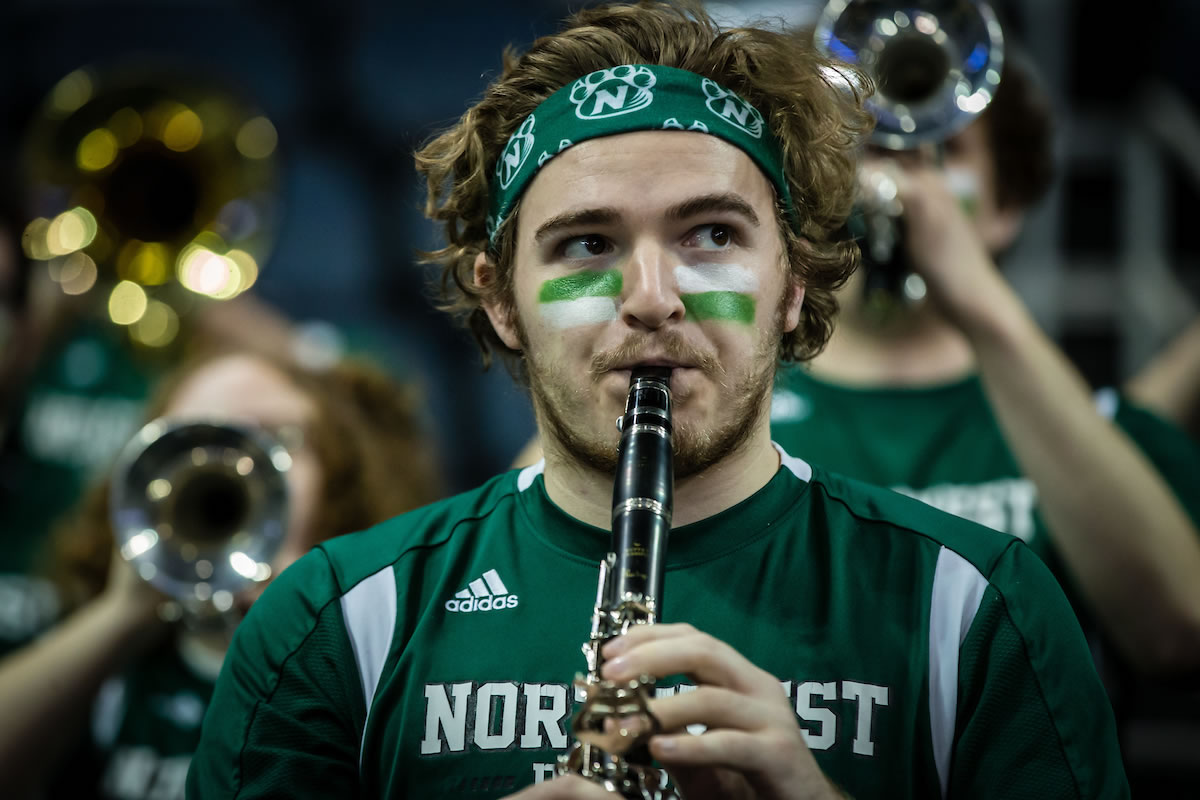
[{"x": 200, "y": 510}]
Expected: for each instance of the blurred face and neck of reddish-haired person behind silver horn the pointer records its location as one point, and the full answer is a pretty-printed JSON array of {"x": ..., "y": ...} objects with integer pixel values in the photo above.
[{"x": 243, "y": 389}]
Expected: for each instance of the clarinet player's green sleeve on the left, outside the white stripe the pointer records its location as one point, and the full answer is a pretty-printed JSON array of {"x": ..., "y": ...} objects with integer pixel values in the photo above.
[{"x": 287, "y": 714}]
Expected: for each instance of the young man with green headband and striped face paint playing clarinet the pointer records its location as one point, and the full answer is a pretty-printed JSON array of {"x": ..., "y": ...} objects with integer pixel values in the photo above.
[{"x": 640, "y": 190}]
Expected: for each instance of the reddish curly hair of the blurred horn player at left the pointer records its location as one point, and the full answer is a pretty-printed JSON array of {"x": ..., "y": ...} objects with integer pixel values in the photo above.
[{"x": 376, "y": 458}]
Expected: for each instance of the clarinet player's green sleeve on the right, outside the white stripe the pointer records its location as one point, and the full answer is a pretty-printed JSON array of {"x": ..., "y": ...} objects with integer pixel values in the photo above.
[{"x": 1034, "y": 720}]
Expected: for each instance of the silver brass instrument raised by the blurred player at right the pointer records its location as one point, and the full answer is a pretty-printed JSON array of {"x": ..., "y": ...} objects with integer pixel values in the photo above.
[{"x": 937, "y": 67}]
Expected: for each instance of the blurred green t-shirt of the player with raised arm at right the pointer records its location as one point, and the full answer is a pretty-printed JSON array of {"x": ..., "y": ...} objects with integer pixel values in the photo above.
[{"x": 944, "y": 446}]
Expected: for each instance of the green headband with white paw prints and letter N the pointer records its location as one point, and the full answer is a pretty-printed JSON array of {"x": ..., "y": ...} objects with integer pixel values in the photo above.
[{"x": 626, "y": 99}]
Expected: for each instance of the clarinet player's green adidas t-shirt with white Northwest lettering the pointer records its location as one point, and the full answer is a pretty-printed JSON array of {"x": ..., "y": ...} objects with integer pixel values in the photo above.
[{"x": 431, "y": 655}]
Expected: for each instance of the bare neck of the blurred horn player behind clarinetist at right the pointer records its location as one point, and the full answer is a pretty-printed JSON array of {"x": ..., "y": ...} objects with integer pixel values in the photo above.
[{"x": 916, "y": 347}]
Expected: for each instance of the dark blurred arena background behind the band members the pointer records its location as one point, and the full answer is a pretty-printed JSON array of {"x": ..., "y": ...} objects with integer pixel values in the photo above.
[{"x": 1108, "y": 264}]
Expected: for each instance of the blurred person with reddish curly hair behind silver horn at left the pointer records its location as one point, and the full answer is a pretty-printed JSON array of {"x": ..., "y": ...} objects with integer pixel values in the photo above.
[{"x": 116, "y": 694}]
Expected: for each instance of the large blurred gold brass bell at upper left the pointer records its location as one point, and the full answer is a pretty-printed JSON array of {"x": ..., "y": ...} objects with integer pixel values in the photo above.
[{"x": 154, "y": 191}]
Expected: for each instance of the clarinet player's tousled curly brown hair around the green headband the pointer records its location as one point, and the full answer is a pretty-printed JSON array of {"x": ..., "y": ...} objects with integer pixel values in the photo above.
[{"x": 818, "y": 118}]
